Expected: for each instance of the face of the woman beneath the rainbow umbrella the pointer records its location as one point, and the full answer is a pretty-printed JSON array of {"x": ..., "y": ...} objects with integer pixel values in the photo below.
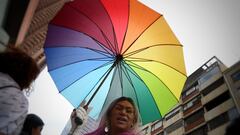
[{"x": 122, "y": 116}]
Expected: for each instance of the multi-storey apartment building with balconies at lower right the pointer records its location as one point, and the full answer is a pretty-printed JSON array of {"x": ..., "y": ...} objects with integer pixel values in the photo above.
[{"x": 210, "y": 100}]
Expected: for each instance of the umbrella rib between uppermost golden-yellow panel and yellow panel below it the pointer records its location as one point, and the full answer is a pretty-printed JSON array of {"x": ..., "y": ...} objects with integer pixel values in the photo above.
[{"x": 156, "y": 45}]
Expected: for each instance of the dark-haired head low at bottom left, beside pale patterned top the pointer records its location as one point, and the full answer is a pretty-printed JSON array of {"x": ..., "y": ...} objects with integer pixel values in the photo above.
[{"x": 33, "y": 125}]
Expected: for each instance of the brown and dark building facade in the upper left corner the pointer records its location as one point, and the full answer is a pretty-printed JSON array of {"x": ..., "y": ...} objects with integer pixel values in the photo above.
[{"x": 24, "y": 24}]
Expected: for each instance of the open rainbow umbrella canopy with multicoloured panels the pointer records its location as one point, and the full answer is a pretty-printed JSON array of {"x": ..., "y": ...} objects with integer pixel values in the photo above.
[{"x": 99, "y": 50}]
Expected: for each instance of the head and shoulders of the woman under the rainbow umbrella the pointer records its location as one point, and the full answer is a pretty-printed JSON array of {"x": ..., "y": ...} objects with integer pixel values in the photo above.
[{"x": 121, "y": 118}]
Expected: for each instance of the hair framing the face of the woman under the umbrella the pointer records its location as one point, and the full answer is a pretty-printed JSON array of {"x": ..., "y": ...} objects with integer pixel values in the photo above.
[{"x": 112, "y": 105}]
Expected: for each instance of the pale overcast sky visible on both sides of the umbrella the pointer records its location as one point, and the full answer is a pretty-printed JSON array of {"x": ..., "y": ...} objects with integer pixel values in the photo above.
[{"x": 205, "y": 28}]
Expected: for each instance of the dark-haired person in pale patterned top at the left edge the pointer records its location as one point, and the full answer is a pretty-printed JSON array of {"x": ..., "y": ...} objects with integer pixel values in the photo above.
[{"x": 17, "y": 71}]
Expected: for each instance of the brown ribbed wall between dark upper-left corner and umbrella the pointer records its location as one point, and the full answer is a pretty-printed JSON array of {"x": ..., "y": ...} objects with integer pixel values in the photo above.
[{"x": 32, "y": 38}]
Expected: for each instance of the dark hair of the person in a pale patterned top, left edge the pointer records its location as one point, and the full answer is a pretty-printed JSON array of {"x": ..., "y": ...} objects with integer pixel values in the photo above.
[{"x": 19, "y": 65}]
